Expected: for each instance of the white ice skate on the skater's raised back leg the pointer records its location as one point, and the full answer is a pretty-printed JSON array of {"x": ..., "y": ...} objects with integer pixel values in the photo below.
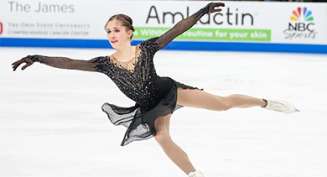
[{"x": 280, "y": 106}]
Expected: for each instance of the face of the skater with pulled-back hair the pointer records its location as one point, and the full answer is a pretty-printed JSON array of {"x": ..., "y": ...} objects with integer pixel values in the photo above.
[{"x": 118, "y": 35}]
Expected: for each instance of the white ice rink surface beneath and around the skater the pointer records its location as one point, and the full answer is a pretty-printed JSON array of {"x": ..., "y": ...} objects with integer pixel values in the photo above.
[{"x": 51, "y": 123}]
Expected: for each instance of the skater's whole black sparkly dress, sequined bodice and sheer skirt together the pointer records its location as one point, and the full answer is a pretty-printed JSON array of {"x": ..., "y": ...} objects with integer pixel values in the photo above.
[{"x": 154, "y": 95}]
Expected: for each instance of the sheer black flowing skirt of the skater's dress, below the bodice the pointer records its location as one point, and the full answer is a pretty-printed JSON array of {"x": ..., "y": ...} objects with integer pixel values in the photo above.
[{"x": 139, "y": 123}]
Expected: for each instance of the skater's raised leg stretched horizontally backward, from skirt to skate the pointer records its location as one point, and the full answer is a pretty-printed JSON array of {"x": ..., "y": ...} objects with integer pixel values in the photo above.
[{"x": 202, "y": 99}]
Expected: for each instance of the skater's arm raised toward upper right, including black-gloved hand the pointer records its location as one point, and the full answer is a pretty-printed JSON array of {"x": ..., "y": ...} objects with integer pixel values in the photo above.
[{"x": 187, "y": 23}]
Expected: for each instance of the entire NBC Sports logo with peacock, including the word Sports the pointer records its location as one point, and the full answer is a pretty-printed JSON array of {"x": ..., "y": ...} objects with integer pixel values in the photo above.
[{"x": 301, "y": 24}]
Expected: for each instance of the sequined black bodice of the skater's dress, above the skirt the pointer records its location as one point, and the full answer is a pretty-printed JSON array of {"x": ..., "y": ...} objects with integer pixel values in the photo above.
[{"x": 139, "y": 84}]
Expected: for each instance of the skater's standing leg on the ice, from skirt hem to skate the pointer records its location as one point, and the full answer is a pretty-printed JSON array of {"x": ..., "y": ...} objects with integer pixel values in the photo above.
[{"x": 173, "y": 151}]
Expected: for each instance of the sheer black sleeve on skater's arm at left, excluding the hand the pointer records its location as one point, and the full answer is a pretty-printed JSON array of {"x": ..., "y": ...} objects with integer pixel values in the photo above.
[{"x": 67, "y": 63}]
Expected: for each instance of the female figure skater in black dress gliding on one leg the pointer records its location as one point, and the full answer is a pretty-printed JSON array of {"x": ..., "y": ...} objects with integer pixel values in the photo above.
[{"x": 131, "y": 68}]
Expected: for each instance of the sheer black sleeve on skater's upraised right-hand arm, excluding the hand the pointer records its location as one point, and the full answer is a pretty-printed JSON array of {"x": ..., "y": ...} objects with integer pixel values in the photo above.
[{"x": 181, "y": 27}]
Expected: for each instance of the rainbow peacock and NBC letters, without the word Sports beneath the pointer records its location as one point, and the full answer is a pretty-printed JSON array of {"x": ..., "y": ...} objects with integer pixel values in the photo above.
[{"x": 301, "y": 20}]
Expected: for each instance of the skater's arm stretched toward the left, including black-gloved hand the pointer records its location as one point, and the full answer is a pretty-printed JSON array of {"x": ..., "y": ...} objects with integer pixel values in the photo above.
[{"x": 57, "y": 62}]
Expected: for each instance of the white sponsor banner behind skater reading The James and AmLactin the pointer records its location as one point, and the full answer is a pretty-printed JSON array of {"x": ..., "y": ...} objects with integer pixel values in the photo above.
[{"x": 269, "y": 22}]
